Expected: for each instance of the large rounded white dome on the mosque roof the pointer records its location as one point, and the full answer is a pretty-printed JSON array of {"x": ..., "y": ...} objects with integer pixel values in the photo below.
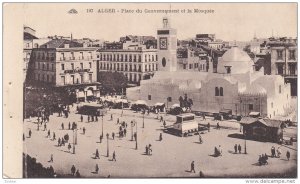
[{"x": 238, "y": 61}]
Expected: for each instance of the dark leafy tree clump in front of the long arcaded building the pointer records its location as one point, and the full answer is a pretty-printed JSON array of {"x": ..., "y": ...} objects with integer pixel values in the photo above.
[{"x": 112, "y": 82}]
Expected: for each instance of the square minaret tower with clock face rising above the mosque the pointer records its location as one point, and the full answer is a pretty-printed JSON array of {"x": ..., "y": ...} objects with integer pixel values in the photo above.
[{"x": 167, "y": 47}]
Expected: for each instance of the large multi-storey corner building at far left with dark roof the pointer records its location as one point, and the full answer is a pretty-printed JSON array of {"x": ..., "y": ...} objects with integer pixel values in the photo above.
[{"x": 65, "y": 63}]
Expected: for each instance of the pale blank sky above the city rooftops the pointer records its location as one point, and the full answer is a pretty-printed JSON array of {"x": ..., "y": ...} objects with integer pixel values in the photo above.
[{"x": 230, "y": 21}]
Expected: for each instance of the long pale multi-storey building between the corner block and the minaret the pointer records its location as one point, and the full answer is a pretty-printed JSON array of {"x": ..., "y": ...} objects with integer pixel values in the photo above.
[{"x": 136, "y": 63}]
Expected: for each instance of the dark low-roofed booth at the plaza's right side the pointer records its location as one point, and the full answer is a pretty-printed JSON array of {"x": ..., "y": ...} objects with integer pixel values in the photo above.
[{"x": 262, "y": 129}]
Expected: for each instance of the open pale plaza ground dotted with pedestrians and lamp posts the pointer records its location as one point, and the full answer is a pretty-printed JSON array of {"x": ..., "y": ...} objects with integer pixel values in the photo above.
[{"x": 171, "y": 157}]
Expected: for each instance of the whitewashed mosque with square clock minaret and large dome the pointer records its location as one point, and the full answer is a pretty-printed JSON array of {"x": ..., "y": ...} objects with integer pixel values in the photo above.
[{"x": 236, "y": 86}]
